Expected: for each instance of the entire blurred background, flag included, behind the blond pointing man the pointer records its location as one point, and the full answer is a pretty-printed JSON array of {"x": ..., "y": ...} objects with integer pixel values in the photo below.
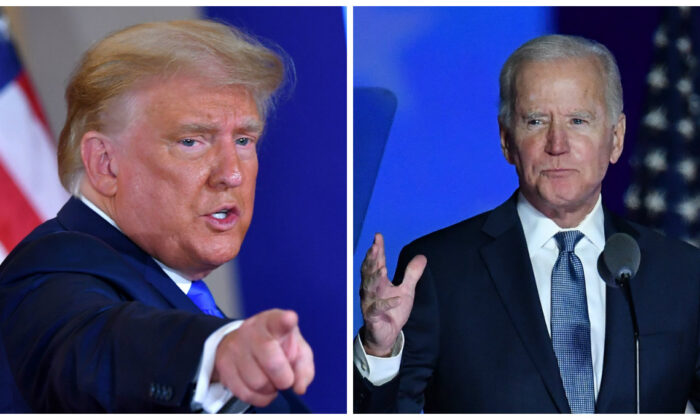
[{"x": 294, "y": 255}]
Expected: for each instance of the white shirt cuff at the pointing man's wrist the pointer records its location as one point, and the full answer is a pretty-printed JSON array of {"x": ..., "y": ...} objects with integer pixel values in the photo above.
[{"x": 211, "y": 397}]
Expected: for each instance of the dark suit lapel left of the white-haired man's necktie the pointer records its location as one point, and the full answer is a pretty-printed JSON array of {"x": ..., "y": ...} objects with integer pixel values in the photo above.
[{"x": 508, "y": 262}]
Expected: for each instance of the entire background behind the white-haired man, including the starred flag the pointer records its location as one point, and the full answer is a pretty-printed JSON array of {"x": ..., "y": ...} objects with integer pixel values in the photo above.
[{"x": 441, "y": 160}]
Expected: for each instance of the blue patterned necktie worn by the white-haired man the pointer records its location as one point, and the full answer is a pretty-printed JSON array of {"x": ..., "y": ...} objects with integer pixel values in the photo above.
[{"x": 571, "y": 328}]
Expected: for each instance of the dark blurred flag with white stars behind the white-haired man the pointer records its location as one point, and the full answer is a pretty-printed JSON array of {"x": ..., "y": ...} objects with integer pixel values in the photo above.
[{"x": 665, "y": 189}]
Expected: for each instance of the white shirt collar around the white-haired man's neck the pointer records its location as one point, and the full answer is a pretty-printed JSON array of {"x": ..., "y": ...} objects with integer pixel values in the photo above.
[{"x": 539, "y": 229}]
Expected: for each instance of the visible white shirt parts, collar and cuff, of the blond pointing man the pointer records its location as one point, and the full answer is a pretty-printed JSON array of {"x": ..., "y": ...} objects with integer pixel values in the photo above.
[{"x": 209, "y": 397}]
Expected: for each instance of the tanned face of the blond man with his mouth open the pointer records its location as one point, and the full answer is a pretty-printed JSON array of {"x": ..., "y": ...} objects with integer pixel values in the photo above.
[{"x": 187, "y": 165}]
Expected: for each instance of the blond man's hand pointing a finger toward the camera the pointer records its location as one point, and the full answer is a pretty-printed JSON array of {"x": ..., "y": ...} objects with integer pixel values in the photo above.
[{"x": 265, "y": 354}]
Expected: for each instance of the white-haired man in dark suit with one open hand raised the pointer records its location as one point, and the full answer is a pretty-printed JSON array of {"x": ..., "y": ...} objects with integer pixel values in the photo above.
[{"x": 506, "y": 311}]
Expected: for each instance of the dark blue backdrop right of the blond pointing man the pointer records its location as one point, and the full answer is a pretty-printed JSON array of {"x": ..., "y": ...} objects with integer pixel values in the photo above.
[{"x": 294, "y": 255}]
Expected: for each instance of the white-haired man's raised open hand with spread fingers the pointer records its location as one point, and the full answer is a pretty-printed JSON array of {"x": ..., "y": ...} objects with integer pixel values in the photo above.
[{"x": 385, "y": 307}]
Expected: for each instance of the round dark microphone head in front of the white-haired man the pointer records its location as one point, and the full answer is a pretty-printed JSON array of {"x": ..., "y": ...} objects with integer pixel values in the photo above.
[{"x": 619, "y": 261}]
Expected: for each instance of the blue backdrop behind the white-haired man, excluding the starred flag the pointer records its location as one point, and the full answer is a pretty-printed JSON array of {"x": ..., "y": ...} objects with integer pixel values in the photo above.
[{"x": 442, "y": 162}]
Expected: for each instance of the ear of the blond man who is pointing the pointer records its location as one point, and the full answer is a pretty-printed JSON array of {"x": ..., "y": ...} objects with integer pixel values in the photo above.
[{"x": 98, "y": 153}]
